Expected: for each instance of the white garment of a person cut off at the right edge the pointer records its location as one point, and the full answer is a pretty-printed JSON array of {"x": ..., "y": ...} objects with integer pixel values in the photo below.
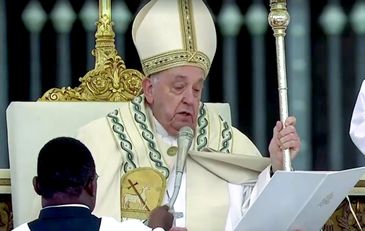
[{"x": 357, "y": 126}]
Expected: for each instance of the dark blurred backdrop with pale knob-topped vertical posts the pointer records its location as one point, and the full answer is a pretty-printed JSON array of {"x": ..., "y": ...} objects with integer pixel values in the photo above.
[{"x": 46, "y": 44}]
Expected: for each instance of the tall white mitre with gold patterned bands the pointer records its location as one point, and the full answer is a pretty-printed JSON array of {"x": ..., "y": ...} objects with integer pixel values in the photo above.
[{"x": 171, "y": 33}]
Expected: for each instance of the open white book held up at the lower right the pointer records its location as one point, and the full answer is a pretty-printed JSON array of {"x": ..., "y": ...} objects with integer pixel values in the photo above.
[{"x": 299, "y": 200}]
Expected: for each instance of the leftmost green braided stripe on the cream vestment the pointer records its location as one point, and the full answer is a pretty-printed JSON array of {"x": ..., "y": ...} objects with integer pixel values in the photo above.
[{"x": 123, "y": 140}]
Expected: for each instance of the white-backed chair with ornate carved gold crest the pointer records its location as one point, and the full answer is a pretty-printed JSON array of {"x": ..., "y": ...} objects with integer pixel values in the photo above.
[{"x": 61, "y": 111}]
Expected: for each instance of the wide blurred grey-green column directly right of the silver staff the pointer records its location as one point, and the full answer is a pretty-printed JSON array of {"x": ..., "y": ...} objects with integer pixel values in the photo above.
[{"x": 299, "y": 77}]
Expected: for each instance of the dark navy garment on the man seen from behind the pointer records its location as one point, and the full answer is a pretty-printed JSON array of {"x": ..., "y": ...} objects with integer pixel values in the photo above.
[{"x": 71, "y": 218}]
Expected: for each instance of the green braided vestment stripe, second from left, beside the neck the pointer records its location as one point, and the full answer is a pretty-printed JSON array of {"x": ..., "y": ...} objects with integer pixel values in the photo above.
[{"x": 148, "y": 136}]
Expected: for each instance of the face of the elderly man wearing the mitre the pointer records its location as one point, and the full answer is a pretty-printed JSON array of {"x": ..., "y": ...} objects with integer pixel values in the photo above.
[{"x": 174, "y": 96}]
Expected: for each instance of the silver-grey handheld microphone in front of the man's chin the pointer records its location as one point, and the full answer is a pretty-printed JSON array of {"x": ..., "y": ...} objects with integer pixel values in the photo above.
[{"x": 184, "y": 141}]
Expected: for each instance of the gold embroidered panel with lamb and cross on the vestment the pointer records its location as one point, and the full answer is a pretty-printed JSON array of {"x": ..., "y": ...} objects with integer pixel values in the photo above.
[{"x": 142, "y": 190}]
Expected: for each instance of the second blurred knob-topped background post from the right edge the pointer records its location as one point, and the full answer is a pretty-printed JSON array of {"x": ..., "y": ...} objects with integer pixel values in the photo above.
[{"x": 333, "y": 20}]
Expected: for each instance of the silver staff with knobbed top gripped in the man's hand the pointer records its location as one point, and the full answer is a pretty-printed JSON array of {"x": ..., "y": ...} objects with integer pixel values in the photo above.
[{"x": 279, "y": 19}]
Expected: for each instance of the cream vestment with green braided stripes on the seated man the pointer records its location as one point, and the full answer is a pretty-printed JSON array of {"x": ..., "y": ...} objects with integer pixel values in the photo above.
[{"x": 131, "y": 137}]
